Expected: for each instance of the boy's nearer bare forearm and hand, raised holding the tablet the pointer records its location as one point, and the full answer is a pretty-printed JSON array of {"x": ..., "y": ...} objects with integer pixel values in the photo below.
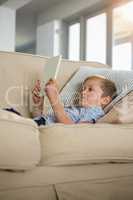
[{"x": 51, "y": 90}]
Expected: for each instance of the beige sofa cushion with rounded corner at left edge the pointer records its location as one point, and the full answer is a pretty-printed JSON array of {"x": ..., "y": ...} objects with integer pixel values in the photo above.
[{"x": 19, "y": 142}]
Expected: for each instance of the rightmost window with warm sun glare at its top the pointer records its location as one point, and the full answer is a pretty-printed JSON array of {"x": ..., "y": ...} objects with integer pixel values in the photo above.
[{"x": 123, "y": 36}]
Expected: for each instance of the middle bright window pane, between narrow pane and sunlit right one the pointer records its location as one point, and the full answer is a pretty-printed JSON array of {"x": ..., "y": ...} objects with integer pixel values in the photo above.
[{"x": 96, "y": 38}]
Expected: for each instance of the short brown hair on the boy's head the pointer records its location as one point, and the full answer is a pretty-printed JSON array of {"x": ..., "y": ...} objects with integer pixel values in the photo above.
[{"x": 108, "y": 86}]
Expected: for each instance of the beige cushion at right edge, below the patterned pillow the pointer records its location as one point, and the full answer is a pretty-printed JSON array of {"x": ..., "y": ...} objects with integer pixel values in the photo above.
[{"x": 122, "y": 112}]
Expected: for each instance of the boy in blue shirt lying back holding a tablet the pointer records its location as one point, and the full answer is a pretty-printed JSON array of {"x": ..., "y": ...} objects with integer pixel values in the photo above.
[{"x": 97, "y": 92}]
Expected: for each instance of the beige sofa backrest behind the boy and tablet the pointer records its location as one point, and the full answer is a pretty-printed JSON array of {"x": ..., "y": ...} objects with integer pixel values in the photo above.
[{"x": 18, "y": 73}]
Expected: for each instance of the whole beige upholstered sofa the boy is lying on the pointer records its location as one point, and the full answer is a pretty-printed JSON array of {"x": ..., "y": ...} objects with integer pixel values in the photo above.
[{"x": 57, "y": 161}]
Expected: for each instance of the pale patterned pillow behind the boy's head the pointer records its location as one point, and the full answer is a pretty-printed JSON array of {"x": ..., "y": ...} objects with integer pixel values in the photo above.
[{"x": 123, "y": 80}]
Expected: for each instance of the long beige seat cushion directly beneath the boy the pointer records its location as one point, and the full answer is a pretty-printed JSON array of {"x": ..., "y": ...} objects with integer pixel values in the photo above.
[{"x": 82, "y": 144}]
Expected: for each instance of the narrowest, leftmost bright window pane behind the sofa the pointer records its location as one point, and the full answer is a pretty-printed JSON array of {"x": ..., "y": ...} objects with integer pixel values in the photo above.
[{"x": 74, "y": 42}]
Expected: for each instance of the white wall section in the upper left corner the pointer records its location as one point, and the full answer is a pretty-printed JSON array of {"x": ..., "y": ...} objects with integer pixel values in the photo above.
[{"x": 7, "y": 29}]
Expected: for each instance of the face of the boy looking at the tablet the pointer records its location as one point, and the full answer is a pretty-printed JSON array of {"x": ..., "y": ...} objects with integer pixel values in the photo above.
[{"x": 91, "y": 94}]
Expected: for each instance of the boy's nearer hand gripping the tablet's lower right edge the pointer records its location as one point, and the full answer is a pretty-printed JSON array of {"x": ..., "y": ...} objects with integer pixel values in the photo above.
[{"x": 52, "y": 92}]
